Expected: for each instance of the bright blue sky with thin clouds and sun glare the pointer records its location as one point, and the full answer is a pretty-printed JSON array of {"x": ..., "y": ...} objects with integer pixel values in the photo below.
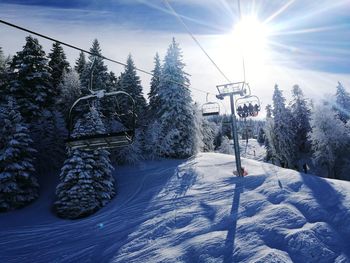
[{"x": 305, "y": 42}]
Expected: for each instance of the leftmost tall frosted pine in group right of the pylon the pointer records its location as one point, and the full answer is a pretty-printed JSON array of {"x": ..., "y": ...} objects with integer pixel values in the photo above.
[{"x": 285, "y": 145}]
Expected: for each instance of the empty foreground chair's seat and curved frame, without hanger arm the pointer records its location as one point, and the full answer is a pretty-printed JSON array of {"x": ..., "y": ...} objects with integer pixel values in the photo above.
[{"x": 110, "y": 139}]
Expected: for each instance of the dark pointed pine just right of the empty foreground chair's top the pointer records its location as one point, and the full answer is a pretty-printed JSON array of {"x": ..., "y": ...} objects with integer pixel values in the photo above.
[{"x": 130, "y": 83}]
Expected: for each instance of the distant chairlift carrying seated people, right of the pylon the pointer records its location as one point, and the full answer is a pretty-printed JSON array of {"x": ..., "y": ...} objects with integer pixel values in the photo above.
[{"x": 248, "y": 106}]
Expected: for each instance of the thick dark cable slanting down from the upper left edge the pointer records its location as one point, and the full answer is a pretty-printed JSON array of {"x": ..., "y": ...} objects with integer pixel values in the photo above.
[{"x": 88, "y": 52}]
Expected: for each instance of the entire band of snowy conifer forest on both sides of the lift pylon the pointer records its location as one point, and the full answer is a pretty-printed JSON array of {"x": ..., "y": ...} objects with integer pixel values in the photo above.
[{"x": 38, "y": 89}]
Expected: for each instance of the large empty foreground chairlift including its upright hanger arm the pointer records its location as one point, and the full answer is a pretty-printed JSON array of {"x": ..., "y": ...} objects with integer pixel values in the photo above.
[{"x": 117, "y": 137}]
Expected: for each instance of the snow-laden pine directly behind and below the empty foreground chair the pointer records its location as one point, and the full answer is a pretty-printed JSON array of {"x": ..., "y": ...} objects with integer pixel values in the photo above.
[{"x": 86, "y": 181}]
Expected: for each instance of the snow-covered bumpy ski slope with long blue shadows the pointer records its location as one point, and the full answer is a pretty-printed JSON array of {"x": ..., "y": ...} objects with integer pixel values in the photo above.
[{"x": 192, "y": 211}]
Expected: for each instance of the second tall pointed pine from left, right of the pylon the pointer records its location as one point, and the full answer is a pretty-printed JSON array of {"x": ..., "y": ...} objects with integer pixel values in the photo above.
[{"x": 301, "y": 118}]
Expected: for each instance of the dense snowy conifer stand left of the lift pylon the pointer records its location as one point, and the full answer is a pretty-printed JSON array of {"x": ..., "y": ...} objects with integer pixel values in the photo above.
[{"x": 37, "y": 91}]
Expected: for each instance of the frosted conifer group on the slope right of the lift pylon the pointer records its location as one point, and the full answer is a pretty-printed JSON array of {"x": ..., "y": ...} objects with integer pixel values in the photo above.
[{"x": 304, "y": 136}]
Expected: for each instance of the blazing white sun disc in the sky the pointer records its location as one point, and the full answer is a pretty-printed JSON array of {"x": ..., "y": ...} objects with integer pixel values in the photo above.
[{"x": 251, "y": 37}]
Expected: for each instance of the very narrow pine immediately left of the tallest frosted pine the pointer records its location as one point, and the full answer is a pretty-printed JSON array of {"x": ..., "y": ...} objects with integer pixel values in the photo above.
[{"x": 153, "y": 95}]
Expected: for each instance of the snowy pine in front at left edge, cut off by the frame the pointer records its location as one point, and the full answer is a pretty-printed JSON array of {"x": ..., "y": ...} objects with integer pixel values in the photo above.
[{"x": 18, "y": 182}]
